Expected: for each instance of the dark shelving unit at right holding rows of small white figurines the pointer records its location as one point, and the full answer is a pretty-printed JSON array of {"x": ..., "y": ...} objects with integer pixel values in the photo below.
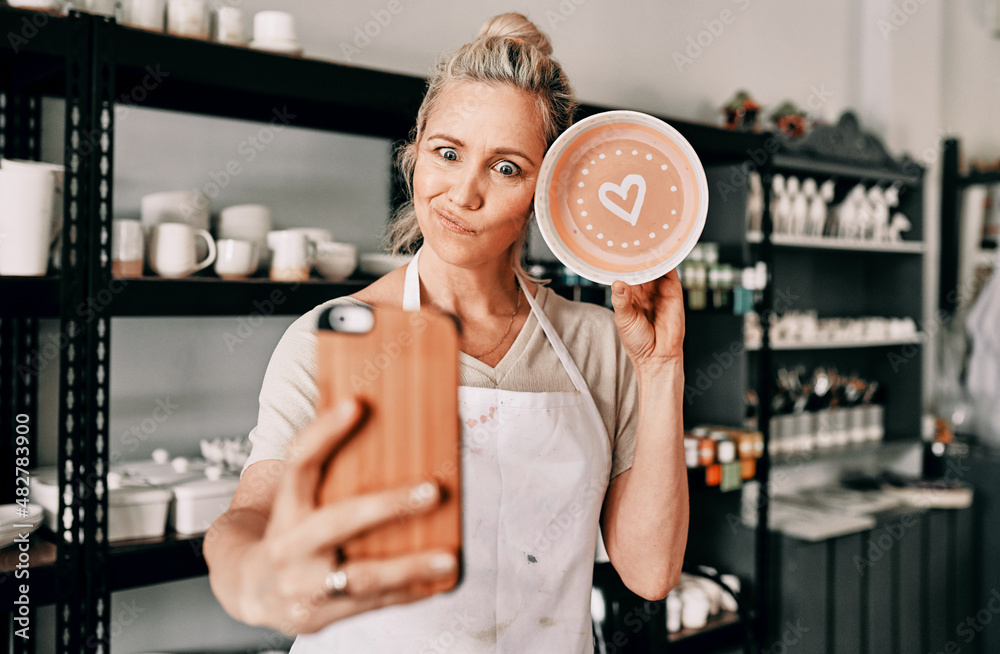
[{"x": 836, "y": 278}]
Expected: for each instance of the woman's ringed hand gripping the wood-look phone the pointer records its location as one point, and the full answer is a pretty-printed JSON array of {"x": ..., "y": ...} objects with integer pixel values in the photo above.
[{"x": 283, "y": 577}]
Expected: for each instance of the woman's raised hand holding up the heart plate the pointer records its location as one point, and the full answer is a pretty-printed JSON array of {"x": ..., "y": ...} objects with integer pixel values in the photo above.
[{"x": 650, "y": 320}]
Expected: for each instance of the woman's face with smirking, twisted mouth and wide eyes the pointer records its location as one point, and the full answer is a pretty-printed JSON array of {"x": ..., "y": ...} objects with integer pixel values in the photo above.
[{"x": 474, "y": 179}]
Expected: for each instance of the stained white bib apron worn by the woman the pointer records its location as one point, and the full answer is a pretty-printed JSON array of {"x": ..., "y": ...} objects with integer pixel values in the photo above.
[{"x": 535, "y": 467}]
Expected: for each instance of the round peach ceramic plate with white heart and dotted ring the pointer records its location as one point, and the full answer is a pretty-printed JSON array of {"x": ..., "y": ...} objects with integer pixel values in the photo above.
[{"x": 621, "y": 195}]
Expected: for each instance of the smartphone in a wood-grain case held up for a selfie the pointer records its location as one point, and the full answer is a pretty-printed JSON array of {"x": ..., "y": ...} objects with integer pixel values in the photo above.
[{"x": 403, "y": 365}]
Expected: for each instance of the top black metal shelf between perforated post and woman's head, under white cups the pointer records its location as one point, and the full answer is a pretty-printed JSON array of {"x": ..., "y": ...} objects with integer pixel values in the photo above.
[{"x": 210, "y": 78}]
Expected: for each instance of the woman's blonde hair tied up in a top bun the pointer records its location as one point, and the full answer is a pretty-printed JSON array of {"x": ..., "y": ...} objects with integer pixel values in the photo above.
[{"x": 509, "y": 49}]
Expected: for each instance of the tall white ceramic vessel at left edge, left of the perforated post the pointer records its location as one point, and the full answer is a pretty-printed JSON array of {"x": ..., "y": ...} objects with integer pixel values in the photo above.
[{"x": 26, "y": 201}]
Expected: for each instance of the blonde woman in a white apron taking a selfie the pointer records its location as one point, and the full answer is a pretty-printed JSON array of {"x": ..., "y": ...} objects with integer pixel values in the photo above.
[{"x": 611, "y": 455}]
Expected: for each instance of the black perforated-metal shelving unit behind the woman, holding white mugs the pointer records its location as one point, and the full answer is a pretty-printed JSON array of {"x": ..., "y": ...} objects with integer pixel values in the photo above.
[{"x": 93, "y": 63}]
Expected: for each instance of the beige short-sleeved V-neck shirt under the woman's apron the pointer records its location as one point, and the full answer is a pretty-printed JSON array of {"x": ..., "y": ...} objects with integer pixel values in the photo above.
[{"x": 288, "y": 394}]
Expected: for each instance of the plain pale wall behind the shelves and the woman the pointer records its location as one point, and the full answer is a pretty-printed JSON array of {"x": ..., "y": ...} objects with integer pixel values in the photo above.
[{"x": 938, "y": 70}]
